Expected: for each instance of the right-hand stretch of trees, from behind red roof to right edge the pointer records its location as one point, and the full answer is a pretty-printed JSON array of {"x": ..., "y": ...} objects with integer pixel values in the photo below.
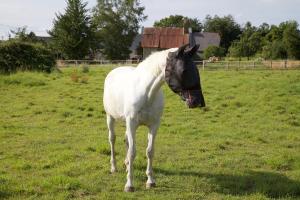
[{"x": 265, "y": 41}]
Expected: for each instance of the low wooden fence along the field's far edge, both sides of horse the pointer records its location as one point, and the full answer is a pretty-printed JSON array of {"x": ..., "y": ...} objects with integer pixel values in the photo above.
[{"x": 204, "y": 65}]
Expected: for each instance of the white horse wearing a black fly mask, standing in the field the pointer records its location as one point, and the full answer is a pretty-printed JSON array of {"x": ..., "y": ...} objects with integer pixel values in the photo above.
[{"x": 134, "y": 95}]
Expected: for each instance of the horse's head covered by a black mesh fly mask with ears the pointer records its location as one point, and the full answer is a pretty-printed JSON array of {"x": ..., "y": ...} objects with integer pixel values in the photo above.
[{"x": 182, "y": 76}]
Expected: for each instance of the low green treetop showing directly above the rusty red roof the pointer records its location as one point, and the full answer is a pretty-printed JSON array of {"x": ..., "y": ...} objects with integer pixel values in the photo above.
[{"x": 180, "y": 21}]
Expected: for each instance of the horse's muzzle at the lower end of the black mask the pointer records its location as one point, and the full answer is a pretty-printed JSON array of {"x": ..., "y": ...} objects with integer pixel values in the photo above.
[{"x": 193, "y": 98}]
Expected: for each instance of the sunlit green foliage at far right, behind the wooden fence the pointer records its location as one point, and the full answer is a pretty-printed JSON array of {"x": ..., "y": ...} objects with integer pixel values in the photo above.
[{"x": 275, "y": 42}]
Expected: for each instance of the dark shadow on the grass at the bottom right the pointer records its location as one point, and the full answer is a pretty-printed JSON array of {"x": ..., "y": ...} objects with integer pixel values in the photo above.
[{"x": 273, "y": 185}]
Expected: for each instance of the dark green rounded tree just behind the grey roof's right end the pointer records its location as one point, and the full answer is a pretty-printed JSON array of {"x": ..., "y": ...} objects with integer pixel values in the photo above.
[{"x": 226, "y": 26}]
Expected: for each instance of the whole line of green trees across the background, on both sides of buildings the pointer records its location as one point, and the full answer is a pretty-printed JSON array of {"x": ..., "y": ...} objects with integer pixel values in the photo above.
[{"x": 110, "y": 27}]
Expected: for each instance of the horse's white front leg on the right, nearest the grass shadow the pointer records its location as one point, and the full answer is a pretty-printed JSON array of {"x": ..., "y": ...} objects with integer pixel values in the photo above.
[{"x": 150, "y": 154}]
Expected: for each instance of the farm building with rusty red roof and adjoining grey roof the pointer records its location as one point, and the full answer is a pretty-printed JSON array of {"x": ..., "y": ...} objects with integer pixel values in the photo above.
[{"x": 156, "y": 39}]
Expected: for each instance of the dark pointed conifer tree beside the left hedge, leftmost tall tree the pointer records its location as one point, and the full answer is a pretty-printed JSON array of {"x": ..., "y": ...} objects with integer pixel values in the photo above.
[{"x": 71, "y": 33}]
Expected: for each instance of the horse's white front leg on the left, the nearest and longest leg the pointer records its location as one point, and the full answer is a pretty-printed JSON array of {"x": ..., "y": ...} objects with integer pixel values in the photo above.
[{"x": 131, "y": 127}]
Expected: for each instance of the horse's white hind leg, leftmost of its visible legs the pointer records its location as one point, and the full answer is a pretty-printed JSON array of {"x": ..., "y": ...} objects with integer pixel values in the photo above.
[{"x": 112, "y": 139}]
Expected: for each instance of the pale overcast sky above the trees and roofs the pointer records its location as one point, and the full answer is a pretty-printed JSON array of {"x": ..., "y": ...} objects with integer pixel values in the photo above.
[{"x": 38, "y": 15}]
